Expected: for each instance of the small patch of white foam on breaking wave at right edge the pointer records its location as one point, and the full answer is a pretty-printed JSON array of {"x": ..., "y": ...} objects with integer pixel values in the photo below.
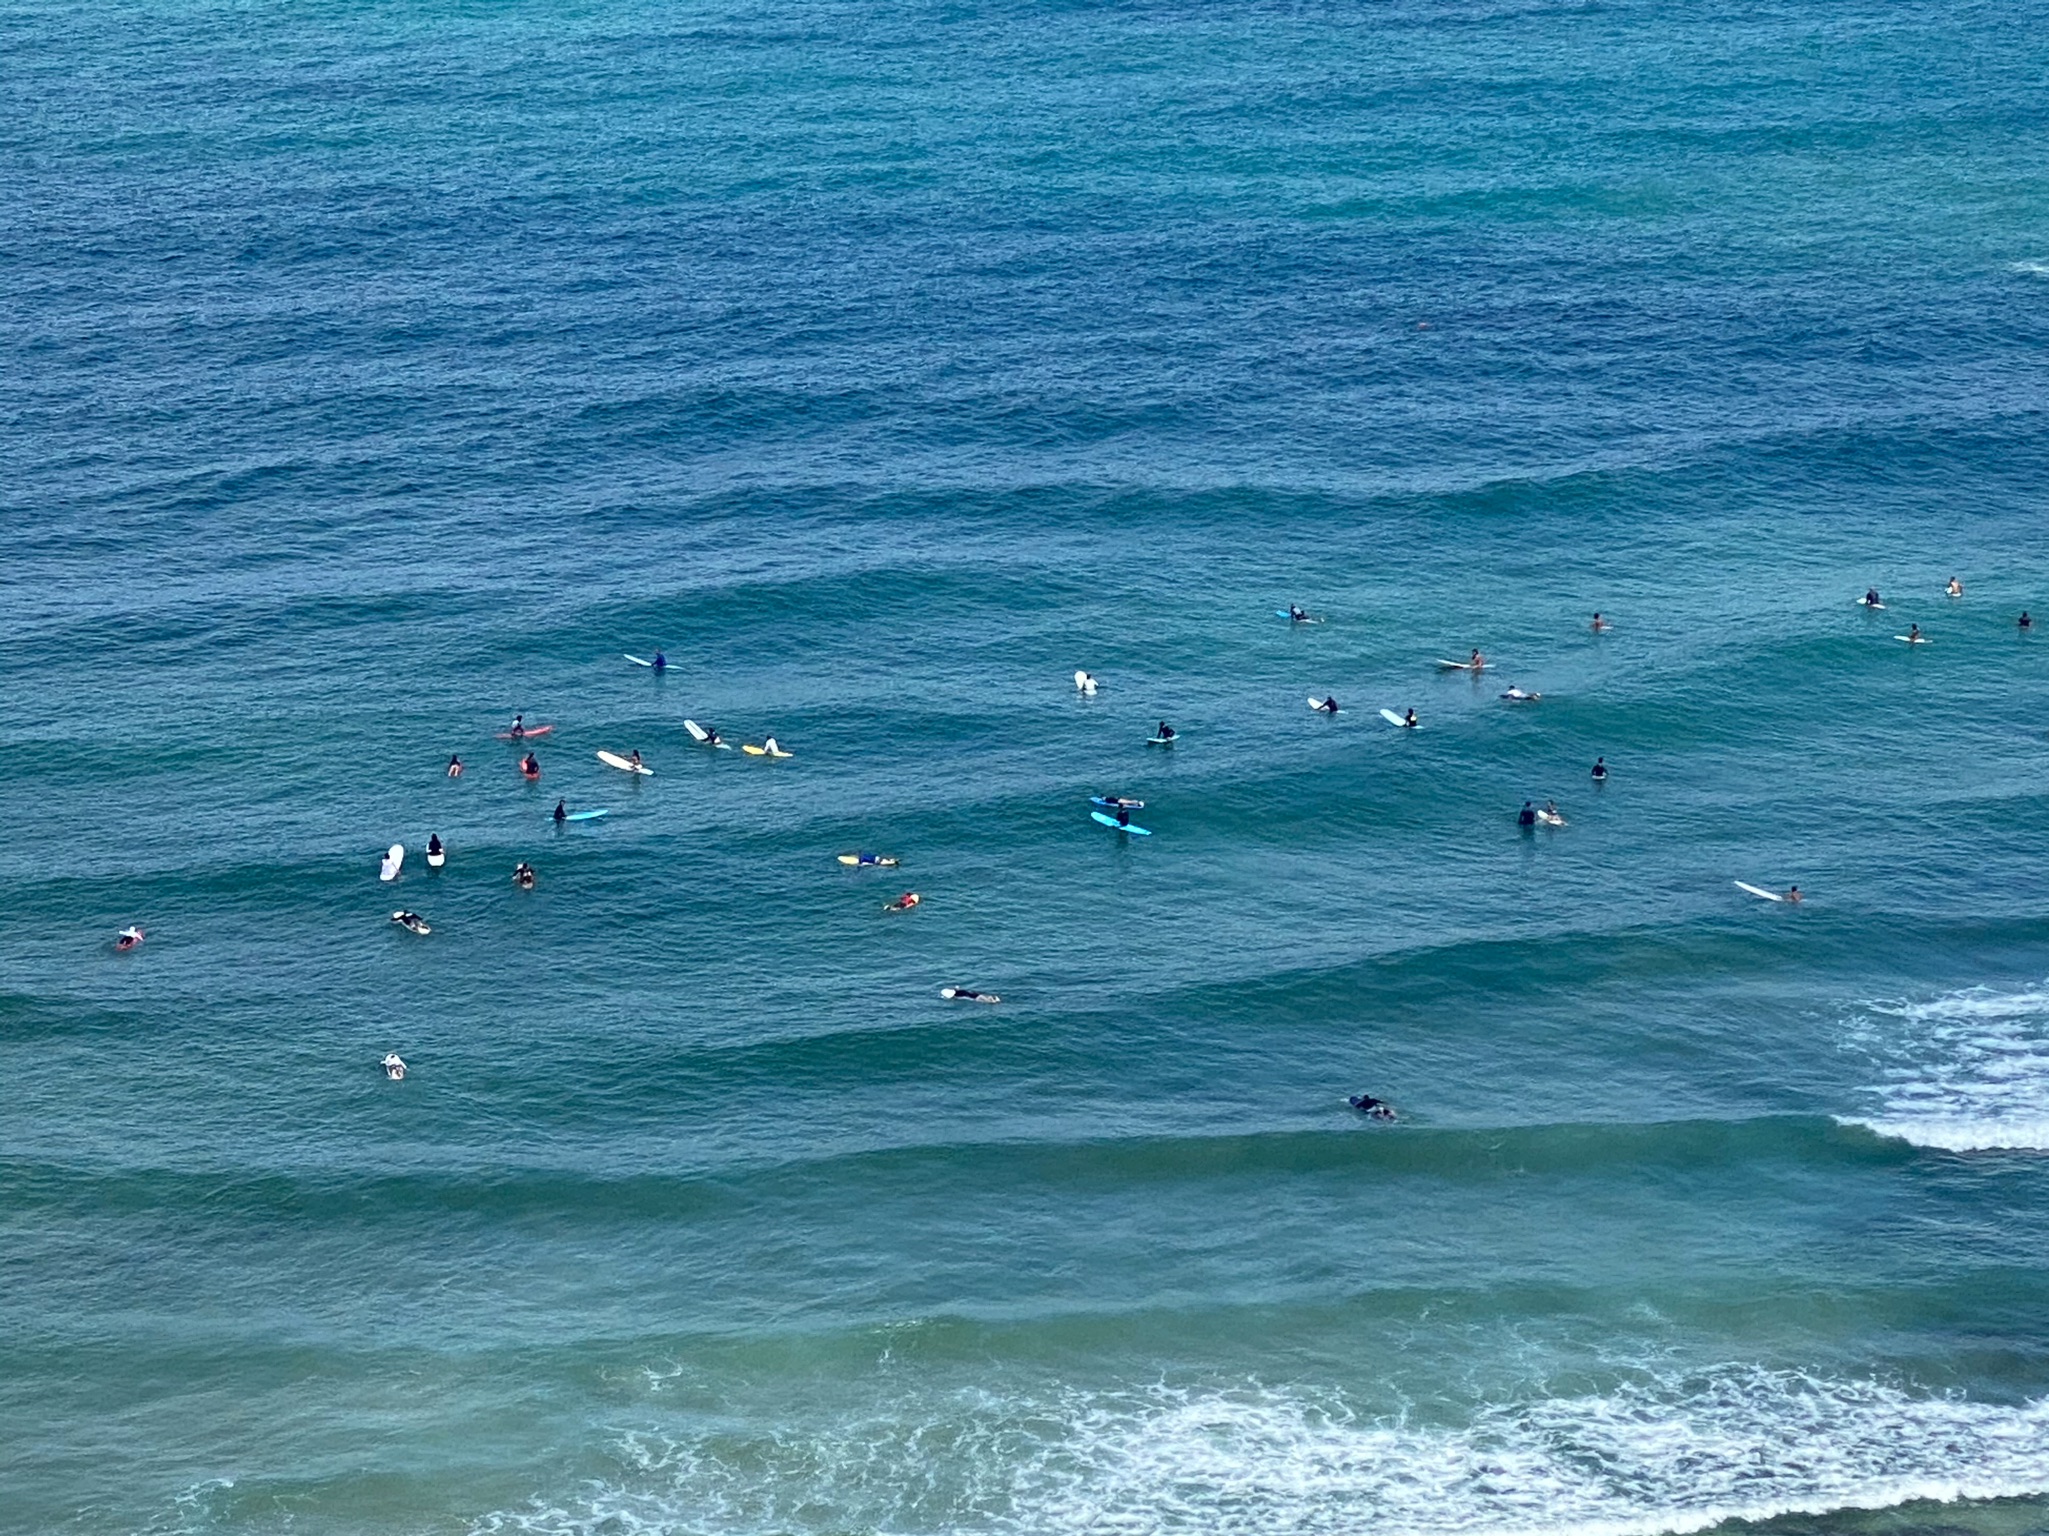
[{"x": 1968, "y": 1072}]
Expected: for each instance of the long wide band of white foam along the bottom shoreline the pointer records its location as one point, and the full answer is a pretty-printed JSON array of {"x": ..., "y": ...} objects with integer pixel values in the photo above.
[{"x": 1671, "y": 1455}]
